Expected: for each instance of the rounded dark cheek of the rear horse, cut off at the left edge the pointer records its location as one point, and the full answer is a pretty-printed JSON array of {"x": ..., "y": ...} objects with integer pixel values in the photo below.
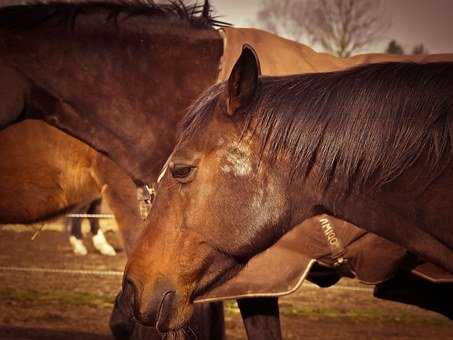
[{"x": 13, "y": 91}]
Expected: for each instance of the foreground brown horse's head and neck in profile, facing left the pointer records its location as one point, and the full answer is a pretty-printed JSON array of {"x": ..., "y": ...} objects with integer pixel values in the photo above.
[{"x": 291, "y": 148}]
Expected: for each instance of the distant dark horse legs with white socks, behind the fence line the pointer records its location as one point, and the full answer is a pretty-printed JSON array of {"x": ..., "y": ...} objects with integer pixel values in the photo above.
[{"x": 75, "y": 230}]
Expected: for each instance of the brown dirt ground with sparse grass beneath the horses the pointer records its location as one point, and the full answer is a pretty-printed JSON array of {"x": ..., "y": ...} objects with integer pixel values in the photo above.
[{"x": 37, "y": 305}]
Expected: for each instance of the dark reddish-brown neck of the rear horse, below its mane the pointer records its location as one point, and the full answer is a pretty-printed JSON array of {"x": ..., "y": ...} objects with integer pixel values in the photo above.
[{"x": 120, "y": 91}]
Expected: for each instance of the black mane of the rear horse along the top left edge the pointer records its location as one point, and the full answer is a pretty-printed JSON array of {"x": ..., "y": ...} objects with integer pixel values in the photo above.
[{"x": 28, "y": 14}]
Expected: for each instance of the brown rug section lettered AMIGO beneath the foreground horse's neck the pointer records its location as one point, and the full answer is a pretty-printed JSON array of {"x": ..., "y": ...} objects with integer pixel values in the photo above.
[{"x": 341, "y": 247}]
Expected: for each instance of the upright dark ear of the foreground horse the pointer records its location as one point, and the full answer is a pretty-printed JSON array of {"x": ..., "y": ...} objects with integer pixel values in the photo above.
[{"x": 243, "y": 80}]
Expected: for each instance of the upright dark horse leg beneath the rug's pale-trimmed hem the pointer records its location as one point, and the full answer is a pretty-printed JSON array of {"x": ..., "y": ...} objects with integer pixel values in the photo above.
[{"x": 261, "y": 318}]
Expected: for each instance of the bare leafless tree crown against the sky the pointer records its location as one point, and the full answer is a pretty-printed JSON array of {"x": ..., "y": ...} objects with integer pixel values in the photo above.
[{"x": 341, "y": 27}]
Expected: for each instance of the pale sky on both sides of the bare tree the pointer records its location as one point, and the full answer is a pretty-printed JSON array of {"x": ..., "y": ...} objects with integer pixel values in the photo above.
[{"x": 411, "y": 21}]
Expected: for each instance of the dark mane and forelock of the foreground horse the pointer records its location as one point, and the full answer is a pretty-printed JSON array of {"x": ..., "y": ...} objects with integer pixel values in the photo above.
[{"x": 362, "y": 126}]
